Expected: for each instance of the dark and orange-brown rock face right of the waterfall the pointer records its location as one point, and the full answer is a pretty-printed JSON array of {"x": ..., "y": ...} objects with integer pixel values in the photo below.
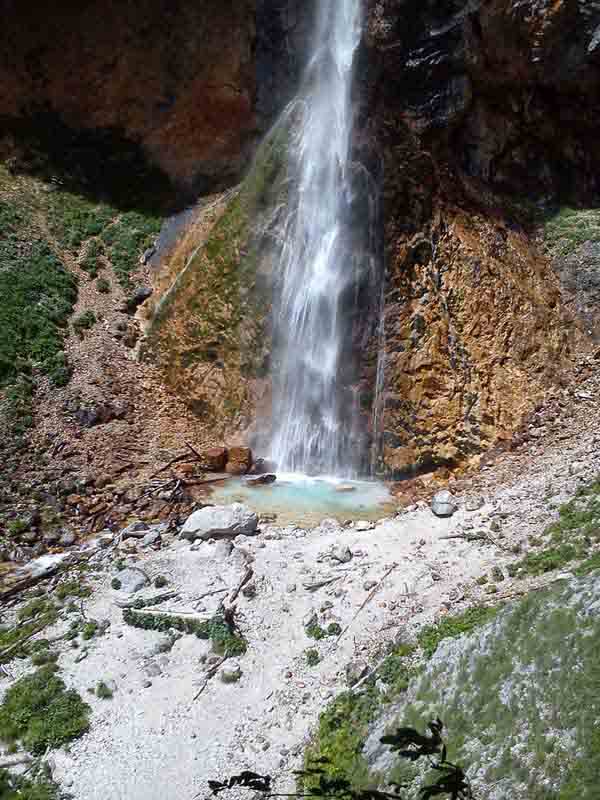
[{"x": 485, "y": 116}]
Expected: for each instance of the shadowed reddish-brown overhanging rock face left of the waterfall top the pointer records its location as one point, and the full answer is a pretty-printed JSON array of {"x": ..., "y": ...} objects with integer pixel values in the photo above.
[{"x": 169, "y": 86}]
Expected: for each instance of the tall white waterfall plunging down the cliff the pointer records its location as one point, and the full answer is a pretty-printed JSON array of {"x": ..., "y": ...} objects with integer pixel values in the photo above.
[{"x": 316, "y": 269}]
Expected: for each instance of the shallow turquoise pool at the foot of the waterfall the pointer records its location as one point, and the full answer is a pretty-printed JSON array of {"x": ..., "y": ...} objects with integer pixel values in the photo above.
[{"x": 305, "y": 501}]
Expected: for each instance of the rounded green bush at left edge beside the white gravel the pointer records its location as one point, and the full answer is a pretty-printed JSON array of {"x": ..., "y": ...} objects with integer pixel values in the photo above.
[{"x": 40, "y": 712}]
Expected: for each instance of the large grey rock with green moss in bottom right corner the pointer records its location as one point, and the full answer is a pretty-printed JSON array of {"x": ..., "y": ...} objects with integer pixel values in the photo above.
[{"x": 520, "y": 699}]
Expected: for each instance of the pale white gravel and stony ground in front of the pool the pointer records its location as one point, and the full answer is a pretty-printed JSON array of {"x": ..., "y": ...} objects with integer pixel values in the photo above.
[{"x": 181, "y": 716}]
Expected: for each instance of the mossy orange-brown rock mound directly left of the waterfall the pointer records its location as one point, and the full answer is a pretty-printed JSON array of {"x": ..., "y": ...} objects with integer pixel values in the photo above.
[{"x": 210, "y": 330}]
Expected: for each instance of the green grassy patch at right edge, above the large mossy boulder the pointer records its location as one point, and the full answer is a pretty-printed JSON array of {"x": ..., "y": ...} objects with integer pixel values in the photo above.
[{"x": 572, "y": 537}]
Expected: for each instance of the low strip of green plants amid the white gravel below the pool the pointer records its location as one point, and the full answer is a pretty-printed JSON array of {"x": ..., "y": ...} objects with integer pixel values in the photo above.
[{"x": 225, "y": 639}]
